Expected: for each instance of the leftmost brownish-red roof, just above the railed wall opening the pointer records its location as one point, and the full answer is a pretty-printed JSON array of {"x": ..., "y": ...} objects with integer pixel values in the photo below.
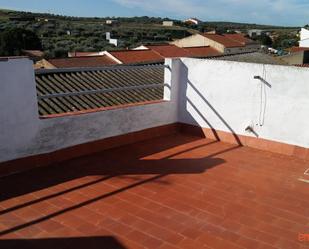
[{"x": 90, "y": 61}]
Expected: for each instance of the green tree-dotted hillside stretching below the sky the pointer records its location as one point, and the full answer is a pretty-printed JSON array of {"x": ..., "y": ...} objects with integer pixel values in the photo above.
[{"x": 60, "y": 34}]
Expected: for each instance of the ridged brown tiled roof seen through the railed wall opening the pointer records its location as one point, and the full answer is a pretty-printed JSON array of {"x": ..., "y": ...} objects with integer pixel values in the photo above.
[{"x": 68, "y": 81}]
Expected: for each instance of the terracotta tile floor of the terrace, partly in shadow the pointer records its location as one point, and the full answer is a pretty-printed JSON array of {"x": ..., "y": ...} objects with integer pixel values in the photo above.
[{"x": 172, "y": 192}]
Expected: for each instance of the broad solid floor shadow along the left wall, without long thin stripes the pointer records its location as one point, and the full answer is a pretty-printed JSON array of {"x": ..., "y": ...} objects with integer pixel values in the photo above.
[{"x": 114, "y": 162}]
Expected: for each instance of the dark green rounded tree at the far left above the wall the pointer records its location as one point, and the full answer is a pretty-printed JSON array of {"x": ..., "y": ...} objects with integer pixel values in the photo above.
[{"x": 14, "y": 40}]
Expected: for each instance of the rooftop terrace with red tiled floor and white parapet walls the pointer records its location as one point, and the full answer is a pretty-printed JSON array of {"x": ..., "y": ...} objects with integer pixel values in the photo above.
[{"x": 220, "y": 161}]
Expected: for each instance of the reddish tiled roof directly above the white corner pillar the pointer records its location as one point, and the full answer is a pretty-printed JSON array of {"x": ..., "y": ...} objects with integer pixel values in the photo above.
[{"x": 169, "y": 51}]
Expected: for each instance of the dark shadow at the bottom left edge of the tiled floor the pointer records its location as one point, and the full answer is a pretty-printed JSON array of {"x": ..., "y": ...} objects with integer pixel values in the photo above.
[{"x": 67, "y": 243}]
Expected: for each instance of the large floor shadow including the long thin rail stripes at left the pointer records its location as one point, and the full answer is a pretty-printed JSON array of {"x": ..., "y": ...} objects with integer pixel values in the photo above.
[{"x": 125, "y": 161}]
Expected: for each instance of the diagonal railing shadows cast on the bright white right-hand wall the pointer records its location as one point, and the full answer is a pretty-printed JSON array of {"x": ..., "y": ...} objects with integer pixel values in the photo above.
[{"x": 185, "y": 102}]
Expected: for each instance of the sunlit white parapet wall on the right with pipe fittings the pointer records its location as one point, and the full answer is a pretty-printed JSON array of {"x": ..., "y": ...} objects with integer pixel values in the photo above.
[{"x": 224, "y": 95}]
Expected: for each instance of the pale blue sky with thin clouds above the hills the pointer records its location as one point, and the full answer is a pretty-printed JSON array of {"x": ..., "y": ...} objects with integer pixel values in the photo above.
[{"x": 275, "y": 12}]
